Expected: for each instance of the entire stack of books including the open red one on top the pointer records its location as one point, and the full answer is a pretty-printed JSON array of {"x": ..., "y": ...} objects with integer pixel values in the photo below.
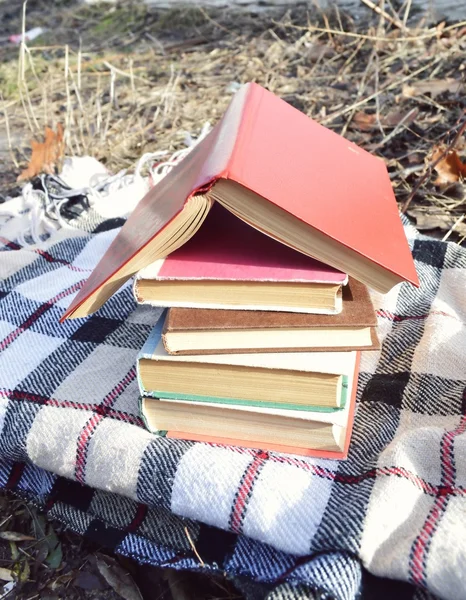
[{"x": 260, "y": 246}]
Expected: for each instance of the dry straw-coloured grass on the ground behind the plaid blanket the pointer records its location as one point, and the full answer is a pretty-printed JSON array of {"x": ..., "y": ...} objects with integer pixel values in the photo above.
[{"x": 139, "y": 80}]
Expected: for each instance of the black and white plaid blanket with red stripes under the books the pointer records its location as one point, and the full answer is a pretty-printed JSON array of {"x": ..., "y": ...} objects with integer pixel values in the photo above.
[{"x": 72, "y": 441}]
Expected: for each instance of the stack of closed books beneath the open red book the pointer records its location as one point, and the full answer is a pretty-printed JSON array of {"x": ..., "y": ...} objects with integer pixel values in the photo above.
[{"x": 259, "y": 346}]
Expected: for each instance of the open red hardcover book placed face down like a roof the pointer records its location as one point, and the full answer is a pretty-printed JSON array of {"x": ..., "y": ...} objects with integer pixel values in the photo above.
[{"x": 284, "y": 174}]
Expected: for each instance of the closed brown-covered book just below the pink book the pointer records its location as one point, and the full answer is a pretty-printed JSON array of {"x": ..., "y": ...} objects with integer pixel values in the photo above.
[{"x": 204, "y": 331}]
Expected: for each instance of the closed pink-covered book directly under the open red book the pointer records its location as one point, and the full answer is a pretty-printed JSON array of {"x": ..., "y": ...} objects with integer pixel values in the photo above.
[{"x": 229, "y": 264}]
